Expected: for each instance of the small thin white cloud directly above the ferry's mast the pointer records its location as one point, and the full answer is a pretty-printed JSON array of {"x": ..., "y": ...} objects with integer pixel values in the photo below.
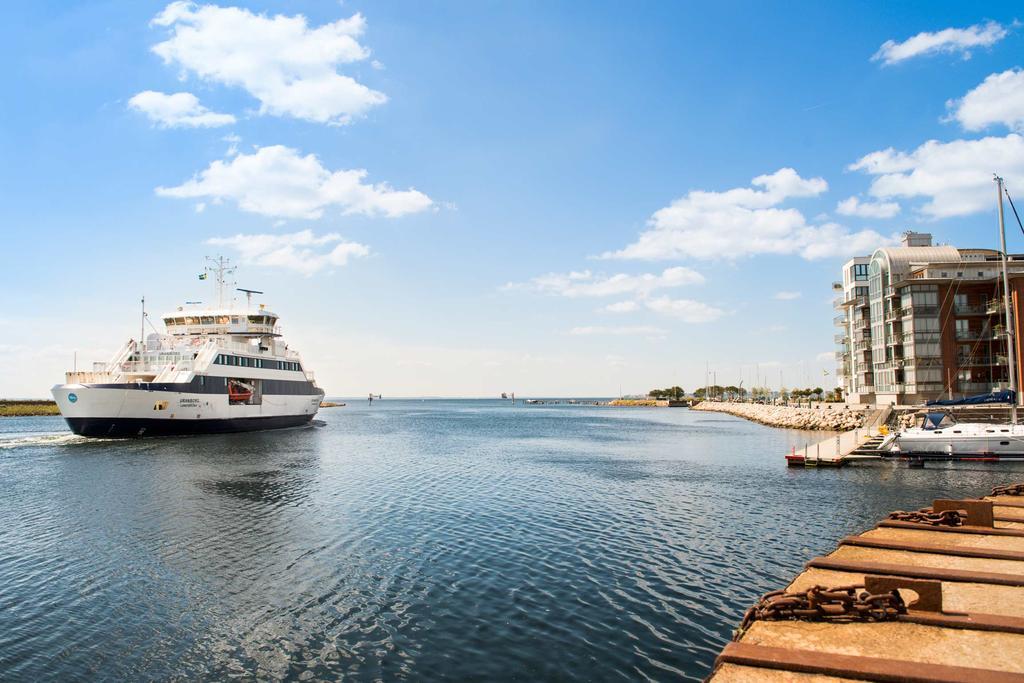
[{"x": 303, "y": 251}]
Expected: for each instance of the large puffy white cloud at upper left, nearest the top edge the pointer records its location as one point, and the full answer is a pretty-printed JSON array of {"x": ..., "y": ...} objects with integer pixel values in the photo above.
[{"x": 289, "y": 67}]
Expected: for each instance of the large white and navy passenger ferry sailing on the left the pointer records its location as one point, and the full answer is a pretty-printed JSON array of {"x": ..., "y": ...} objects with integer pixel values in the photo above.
[{"x": 216, "y": 370}]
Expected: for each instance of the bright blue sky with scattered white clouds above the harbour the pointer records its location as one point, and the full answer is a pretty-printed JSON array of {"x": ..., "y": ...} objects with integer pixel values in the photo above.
[{"x": 546, "y": 202}]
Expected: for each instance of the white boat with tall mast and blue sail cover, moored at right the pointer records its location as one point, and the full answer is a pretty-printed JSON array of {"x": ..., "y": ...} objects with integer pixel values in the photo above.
[{"x": 938, "y": 435}]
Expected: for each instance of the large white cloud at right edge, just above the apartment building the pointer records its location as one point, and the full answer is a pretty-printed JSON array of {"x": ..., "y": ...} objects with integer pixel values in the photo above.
[{"x": 956, "y": 177}]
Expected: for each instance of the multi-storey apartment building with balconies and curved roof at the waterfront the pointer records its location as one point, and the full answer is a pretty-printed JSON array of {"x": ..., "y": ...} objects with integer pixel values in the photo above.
[{"x": 920, "y": 322}]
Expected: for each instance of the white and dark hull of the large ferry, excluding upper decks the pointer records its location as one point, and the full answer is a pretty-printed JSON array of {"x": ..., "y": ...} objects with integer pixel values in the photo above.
[{"x": 133, "y": 411}]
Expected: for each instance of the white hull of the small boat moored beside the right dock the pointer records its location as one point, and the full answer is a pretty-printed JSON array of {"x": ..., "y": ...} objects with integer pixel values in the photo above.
[{"x": 968, "y": 440}]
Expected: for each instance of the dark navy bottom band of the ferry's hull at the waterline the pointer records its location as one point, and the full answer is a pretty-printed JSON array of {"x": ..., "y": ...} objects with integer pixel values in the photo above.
[{"x": 136, "y": 428}]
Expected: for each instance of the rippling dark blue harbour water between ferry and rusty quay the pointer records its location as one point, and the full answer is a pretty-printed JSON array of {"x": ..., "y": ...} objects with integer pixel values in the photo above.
[{"x": 415, "y": 540}]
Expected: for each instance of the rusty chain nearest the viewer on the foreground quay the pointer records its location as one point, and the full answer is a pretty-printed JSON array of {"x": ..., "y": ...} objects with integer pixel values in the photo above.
[{"x": 846, "y": 604}]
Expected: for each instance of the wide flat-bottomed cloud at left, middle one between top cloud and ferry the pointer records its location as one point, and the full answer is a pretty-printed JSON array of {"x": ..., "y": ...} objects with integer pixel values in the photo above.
[{"x": 278, "y": 182}]
